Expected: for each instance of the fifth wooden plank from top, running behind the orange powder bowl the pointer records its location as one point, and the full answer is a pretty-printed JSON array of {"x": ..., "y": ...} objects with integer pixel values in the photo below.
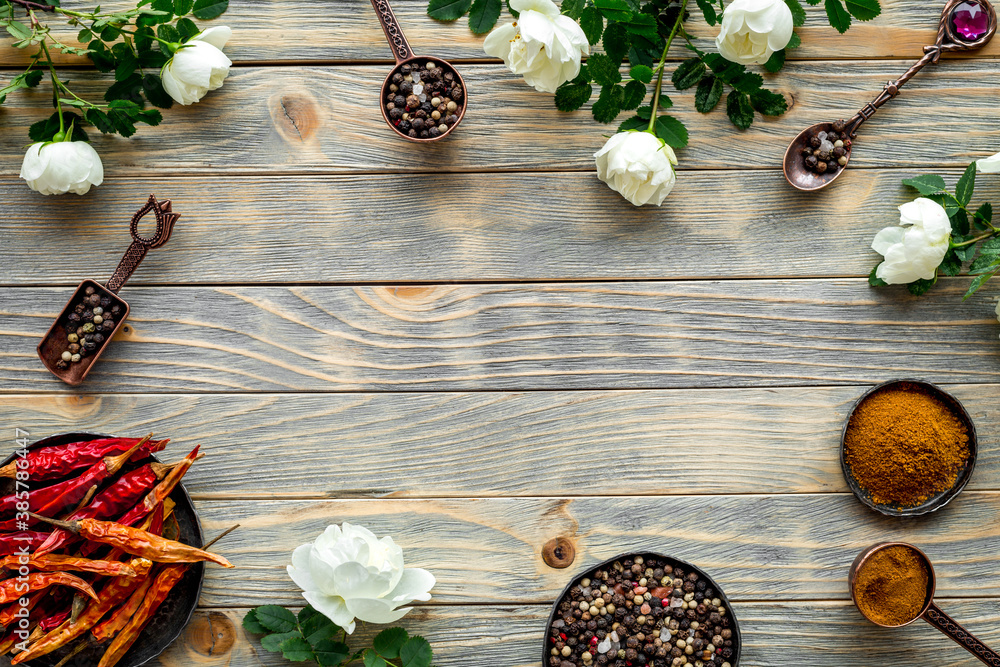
[{"x": 496, "y": 444}]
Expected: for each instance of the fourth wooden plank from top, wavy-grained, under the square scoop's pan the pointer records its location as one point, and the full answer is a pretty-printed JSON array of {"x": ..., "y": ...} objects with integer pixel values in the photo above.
[{"x": 582, "y": 336}]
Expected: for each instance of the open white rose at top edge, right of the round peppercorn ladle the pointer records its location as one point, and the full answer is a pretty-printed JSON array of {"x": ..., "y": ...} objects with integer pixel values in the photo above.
[{"x": 542, "y": 45}]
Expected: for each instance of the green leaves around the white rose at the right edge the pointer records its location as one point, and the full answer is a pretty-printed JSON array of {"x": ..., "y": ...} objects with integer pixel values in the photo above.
[{"x": 974, "y": 241}]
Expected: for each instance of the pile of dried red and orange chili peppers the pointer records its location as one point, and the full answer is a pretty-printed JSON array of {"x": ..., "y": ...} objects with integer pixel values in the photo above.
[{"x": 86, "y": 549}]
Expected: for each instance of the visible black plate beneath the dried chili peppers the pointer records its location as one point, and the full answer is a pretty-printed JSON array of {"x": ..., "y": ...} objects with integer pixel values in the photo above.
[{"x": 172, "y": 616}]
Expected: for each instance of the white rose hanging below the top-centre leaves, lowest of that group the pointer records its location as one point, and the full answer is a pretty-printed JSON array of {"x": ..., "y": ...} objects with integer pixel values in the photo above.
[{"x": 637, "y": 165}]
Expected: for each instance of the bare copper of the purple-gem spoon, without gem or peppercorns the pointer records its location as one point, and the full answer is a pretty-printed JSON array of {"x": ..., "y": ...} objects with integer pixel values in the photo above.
[{"x": 949, "y": 39}]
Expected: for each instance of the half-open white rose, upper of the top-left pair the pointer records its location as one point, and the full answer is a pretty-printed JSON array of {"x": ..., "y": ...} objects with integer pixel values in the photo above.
[{"x": 198, "y": 66}]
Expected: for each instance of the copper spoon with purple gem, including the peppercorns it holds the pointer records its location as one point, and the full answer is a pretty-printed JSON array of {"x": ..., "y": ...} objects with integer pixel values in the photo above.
[{"x": 965, "y": 25}]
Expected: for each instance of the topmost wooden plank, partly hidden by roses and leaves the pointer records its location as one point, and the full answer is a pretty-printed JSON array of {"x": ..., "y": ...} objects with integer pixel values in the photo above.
[{"x": 348, "y": 30}]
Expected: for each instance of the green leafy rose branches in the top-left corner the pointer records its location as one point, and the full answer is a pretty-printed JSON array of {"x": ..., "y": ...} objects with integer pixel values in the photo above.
[{"x": 133, "y": 44}]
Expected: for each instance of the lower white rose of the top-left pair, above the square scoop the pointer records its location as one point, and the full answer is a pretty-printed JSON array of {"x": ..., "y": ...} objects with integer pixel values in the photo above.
[{"x": 61, "y": 167}]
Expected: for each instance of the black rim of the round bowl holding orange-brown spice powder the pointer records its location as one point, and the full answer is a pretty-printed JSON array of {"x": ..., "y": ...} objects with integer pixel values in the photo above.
[{"x": 938, "y": 501}]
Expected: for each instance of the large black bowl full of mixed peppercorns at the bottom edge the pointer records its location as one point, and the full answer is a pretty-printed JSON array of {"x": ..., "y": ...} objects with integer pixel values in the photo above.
[{"x": 642, "y": 610}]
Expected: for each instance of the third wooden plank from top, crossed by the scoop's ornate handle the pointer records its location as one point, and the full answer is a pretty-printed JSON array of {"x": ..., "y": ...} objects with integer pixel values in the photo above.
[{"x": 340, "y": 229}]
